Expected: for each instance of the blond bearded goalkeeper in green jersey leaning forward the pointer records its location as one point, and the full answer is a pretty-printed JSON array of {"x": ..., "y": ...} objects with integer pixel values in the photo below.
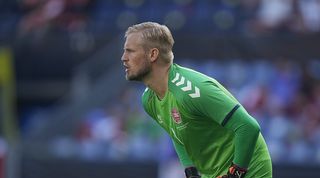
[{"x": 211, "y": 132}]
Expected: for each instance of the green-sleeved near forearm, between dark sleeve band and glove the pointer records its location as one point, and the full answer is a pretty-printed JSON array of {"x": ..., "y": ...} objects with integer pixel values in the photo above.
[{"x": 246, "y": 131}]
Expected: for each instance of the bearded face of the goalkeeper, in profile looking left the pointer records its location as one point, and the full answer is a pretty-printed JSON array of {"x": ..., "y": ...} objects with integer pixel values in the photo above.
[{"x": 135, "y": 58}]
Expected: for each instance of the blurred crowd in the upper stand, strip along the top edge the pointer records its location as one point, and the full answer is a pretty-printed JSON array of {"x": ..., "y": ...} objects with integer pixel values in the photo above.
[{"x": 40, "y": 17}]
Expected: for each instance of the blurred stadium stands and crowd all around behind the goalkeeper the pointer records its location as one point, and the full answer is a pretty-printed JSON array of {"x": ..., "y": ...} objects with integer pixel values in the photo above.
[{"x": 67, "y": 111}]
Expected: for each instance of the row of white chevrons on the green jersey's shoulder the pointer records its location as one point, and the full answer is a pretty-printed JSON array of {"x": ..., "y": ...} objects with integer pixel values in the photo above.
[{"x": 180, "y": 81}]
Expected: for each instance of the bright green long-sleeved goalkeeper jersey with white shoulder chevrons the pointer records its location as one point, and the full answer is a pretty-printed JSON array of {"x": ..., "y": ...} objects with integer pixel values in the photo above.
[{"x": 208, "y": 125}]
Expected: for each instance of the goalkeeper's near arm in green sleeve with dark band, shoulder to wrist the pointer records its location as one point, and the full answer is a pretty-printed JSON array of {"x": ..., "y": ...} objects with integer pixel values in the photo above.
[{"x": 219, "y": 105}]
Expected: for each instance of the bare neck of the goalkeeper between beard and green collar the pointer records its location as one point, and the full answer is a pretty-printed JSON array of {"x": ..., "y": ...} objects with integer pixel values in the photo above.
[{"x": 157, "y": 81}]
